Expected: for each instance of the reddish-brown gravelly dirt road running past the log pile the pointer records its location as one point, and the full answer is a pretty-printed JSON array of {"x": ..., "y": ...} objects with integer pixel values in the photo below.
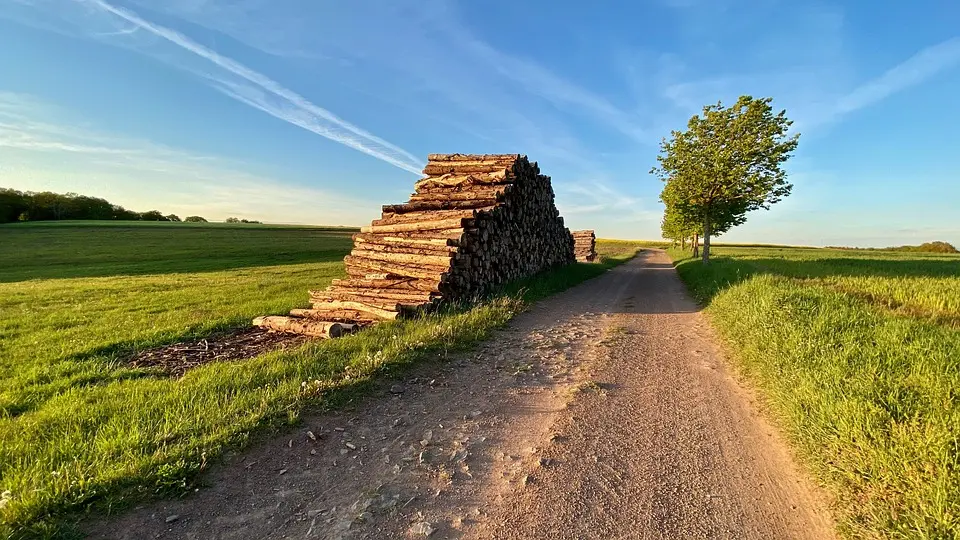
[{"x": 604, "y": 412}]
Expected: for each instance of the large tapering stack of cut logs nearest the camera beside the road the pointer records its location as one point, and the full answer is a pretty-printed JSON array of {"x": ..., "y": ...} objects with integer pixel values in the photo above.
[{"x": 474, "y": 223}]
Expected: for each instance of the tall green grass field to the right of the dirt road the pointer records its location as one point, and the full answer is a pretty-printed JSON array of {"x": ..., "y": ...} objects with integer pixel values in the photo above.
[{"x": 858, "y": 354}]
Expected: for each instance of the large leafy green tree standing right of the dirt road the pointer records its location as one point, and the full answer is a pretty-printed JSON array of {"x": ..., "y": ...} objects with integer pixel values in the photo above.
[{"x": 727, "y": 163}]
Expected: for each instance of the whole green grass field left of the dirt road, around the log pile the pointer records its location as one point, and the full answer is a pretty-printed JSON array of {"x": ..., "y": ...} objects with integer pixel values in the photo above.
[{"x": 79, "y": 431}]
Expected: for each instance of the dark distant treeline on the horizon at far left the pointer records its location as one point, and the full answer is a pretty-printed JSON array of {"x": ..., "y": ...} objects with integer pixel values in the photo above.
[{"x": 47, "y": 206}]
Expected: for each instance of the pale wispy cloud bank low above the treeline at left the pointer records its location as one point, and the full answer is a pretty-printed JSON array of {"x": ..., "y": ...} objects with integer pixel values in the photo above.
[{"x": 142, "y": 175}]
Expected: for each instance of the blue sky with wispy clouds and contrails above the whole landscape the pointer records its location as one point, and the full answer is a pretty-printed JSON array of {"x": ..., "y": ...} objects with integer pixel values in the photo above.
[{"x": 308, "y": 111}]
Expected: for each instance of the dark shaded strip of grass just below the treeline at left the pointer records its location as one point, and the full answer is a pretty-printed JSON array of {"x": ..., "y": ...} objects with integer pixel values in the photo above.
[{"x": 63, "y": 249}]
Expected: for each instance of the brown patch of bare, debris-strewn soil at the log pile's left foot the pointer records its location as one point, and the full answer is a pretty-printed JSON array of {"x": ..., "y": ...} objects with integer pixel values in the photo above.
[{"x": 240, "y": 344}]
